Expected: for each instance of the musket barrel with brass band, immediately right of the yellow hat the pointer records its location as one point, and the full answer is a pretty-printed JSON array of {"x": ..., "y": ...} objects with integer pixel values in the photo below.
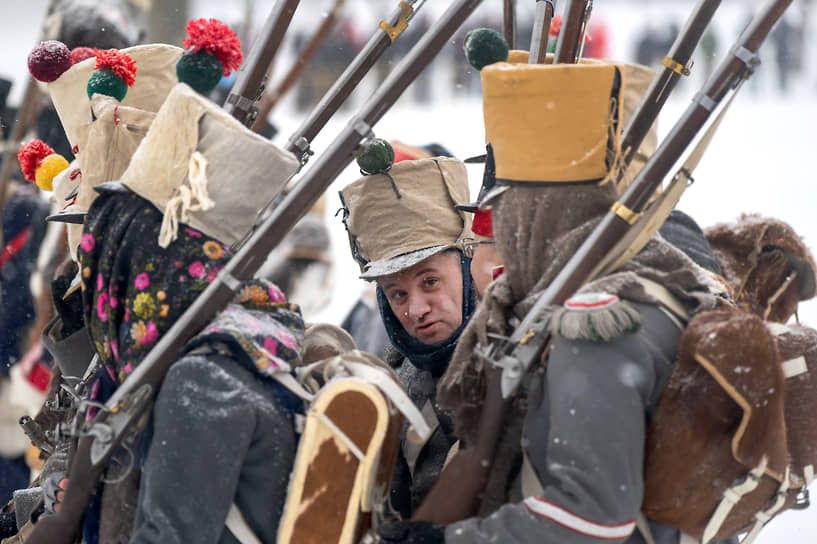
[{"x": 676, "y": 64}]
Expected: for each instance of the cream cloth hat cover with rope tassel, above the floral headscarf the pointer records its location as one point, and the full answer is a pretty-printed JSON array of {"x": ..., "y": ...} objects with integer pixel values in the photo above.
[{"x": 202, "y": 167}]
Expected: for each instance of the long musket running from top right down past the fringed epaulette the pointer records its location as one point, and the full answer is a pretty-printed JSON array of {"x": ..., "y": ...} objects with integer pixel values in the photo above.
[{"x": 508, "y": 360}]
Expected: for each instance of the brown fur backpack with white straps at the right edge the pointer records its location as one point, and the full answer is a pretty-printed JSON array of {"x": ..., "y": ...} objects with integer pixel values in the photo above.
[{"x": 733, "y": 441}]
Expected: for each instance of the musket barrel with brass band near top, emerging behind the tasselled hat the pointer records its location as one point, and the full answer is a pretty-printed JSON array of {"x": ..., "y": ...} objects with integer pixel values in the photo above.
[{"x": 387, "y": 32}]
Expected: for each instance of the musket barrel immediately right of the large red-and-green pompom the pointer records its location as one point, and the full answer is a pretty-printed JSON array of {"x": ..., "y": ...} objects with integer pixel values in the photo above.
[{"x": 251, "y": 78}]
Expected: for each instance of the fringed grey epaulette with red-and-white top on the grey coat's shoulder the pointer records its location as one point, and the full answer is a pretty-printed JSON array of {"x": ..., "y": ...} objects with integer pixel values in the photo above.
[{"x": 596, "y": 317}]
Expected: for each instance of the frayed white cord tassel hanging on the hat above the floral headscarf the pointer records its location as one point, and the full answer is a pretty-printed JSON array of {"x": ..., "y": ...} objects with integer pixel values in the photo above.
[{"x": 187, "y": 198}]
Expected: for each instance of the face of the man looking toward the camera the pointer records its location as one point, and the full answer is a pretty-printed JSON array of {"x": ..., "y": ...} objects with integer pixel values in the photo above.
[{"x": 427, "y": 298}]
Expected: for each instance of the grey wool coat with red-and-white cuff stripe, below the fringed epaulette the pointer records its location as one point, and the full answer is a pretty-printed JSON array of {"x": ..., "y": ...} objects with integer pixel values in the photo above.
[{"x": 584, "y": 436}]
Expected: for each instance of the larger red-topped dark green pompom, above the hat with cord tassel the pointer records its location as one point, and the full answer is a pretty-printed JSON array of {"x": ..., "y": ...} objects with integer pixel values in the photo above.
[{"x": 212, "y": 51}]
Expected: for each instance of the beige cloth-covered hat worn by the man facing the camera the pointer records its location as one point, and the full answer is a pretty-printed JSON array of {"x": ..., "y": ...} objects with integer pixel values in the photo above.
[{"x": 383, "y": 227}]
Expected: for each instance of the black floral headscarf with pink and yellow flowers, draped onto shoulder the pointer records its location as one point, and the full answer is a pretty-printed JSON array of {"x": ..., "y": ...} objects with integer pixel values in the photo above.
[{"x": 134, "y": 291}]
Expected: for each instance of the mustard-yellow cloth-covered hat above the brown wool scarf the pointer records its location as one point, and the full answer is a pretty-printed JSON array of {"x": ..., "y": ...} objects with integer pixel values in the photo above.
[{"x": 566, "y": 102}]
